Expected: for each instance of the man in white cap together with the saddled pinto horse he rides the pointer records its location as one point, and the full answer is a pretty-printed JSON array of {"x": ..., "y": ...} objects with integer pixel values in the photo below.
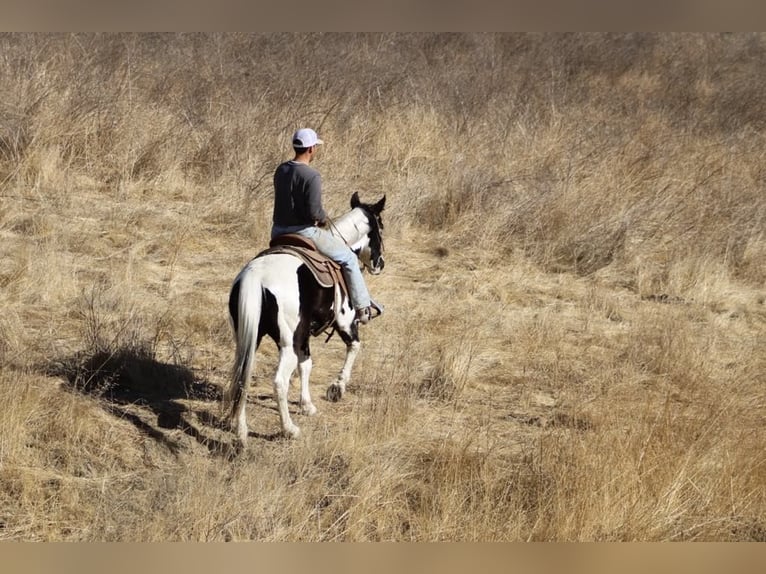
[{"x": 285, "y": 292}]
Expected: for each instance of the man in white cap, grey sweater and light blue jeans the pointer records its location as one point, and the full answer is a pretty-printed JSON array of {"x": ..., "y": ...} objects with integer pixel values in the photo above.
[{"x": 298, "y": 209}]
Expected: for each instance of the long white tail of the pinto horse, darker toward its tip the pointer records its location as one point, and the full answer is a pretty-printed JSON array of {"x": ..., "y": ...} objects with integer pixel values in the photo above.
[{"x": 245, "y": 301}]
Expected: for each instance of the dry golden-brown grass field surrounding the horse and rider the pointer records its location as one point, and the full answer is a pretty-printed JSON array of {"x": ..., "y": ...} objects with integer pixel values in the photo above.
[{"x": 575, "y": 287}]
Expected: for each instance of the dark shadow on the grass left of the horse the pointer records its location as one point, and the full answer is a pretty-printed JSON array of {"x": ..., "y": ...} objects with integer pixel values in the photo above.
[{"x": 150, "y": 394}]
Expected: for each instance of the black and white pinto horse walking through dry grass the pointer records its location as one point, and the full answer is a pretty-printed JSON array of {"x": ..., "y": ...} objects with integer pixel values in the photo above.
[{"x": 277, "y": 295}]
